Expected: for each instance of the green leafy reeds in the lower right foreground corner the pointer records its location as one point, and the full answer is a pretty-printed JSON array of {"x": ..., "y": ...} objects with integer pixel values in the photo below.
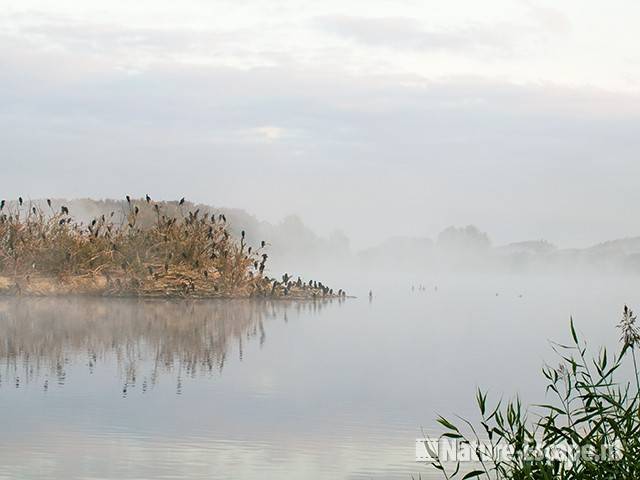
[{"x": 592, "y": 413}]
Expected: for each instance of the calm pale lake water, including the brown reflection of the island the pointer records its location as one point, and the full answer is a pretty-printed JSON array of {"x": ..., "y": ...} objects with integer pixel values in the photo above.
[{"x": 128, "y": 389}]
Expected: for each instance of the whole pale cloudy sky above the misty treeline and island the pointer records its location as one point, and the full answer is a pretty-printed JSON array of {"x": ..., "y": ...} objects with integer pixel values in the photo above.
[{"x": 376, "y": 118}]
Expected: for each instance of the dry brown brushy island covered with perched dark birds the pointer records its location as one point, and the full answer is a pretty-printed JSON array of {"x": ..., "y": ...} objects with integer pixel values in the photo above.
[{"x": 149, "y": 249}]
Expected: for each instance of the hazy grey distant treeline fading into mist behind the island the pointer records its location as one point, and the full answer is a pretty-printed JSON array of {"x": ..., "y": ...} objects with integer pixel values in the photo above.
[{"x": 291, "y": 242}]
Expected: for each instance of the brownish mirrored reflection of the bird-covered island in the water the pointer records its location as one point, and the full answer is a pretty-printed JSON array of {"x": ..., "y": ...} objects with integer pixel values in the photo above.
[{"x": 44, "y": 335}]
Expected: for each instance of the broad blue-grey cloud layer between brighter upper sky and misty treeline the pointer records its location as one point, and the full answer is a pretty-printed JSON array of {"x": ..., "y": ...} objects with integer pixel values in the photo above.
[{"x": 342, "y": 150}]
